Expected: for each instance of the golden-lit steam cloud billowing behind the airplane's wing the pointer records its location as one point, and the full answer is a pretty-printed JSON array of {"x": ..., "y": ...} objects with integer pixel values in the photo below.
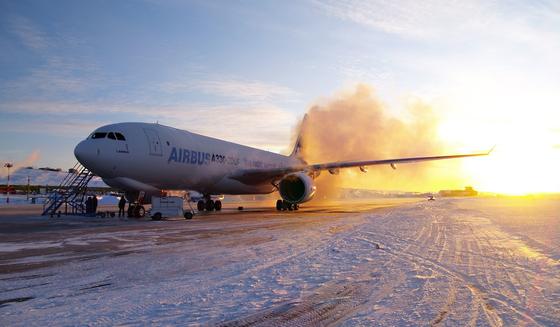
[{"x": 356, "y": 126}]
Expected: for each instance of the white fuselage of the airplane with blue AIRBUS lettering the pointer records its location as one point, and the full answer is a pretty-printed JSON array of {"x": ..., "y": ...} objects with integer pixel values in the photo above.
[{"x": 153, "y": 157}]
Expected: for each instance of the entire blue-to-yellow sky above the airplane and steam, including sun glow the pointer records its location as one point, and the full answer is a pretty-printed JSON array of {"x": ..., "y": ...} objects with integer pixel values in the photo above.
[{"x": 247, "y": 71}]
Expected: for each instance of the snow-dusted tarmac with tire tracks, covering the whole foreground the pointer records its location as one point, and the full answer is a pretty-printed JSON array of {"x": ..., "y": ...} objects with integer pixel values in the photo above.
[{"x": 484, "y": 262}]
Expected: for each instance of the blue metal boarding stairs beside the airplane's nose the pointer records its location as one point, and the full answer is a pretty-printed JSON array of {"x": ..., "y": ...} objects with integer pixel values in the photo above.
[{"x": 70, "y": 193}]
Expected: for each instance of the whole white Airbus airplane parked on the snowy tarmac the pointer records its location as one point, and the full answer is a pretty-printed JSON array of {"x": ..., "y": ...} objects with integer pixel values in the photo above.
[{"x": 143, "y": 159}]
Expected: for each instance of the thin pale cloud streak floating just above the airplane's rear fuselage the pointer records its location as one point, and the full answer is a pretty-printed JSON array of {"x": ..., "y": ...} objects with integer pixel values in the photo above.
[{"x": 232, "y": 87}]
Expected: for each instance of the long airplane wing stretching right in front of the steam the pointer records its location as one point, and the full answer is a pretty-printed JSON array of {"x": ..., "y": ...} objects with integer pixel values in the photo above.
[{"x": 258, "y": 176}]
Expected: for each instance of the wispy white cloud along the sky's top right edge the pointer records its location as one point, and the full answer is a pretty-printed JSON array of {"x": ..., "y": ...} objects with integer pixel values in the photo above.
[{"x": 440, "y": 18}]
